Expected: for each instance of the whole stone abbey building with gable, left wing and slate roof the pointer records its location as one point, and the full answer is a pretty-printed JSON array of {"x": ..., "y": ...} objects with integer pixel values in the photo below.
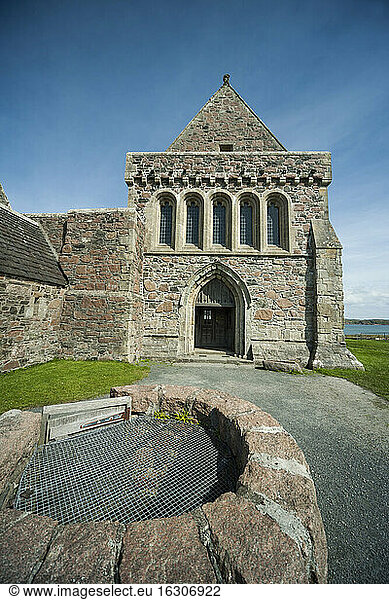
[{"x": 225, "y": 245}]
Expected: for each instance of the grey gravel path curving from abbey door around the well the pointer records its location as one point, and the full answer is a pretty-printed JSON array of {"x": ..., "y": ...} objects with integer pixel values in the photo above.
[{"x": 343, "y": 431}]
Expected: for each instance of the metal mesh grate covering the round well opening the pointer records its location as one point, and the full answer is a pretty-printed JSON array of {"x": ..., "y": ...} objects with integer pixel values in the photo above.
[{"x": 130, "y": 471}]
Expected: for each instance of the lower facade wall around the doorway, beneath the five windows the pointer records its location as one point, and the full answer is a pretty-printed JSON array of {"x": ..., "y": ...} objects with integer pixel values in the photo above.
[{"x": 279, "y": 318}]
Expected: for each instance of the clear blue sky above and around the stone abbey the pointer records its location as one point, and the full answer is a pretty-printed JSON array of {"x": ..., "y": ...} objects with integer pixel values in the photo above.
[{"x": 85, "y": 81}]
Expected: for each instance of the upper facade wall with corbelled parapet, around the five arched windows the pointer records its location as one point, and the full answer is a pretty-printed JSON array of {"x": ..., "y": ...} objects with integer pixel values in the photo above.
[{"x": 302, "y": 177}]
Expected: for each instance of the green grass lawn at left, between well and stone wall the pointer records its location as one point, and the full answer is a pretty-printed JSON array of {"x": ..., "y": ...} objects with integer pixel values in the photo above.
[{"x": 64, "y": 381}]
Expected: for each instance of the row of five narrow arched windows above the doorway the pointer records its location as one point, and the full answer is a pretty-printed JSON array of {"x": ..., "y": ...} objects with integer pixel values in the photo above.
[{"x": 221, "y": 230}]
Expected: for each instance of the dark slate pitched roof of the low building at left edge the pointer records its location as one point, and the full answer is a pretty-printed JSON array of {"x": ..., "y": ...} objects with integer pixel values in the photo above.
[{"x": 24, "y": 251}]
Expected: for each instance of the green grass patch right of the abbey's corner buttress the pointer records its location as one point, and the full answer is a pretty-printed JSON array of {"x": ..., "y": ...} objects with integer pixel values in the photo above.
[{"x": 374, "y": 355}]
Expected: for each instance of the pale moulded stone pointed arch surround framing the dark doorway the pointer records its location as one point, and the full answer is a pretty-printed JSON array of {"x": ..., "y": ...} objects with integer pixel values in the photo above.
[{"x": 240, "y": 303}]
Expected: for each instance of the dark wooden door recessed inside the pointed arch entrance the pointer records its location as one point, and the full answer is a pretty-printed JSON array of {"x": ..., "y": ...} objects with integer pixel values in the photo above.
[{"x": 215, "y": 317}]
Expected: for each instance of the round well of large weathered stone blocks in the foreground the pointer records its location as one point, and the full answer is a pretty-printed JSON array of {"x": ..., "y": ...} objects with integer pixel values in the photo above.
[{"x": 262, "y": 525}]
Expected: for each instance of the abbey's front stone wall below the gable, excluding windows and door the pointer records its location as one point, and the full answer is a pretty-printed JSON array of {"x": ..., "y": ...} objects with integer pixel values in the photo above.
[{"x": 287, "y": 289}]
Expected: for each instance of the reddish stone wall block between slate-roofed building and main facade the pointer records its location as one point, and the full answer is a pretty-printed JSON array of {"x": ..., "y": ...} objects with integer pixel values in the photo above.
[{"x": 100, "y": 252}]
